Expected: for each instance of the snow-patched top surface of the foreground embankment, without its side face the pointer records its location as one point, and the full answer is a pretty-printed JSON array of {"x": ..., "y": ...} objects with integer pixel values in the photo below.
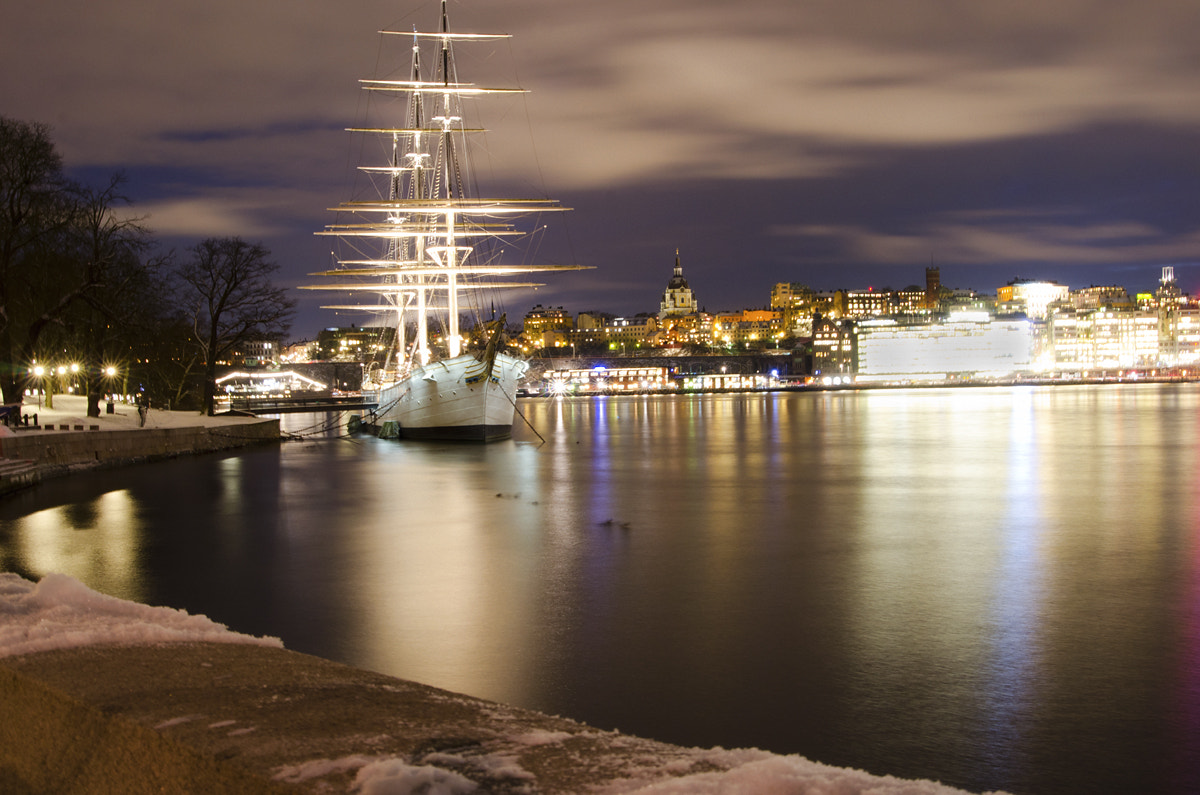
[{"x": 379, "y": 742}]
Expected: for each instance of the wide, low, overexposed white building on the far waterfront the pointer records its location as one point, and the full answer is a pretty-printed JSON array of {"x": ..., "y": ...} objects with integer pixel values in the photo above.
[{"x": 970, "y": 345}]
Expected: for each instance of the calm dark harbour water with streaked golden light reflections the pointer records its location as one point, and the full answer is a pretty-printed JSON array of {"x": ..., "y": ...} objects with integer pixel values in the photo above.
[{"x": 999, "y": 589}]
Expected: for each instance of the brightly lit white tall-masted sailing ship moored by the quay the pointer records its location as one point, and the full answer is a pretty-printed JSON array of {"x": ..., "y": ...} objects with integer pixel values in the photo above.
[{"x": 430, "y": 249}]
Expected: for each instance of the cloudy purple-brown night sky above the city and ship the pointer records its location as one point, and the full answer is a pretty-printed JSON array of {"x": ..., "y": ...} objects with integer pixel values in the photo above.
[{"x": 838, "y": 144}]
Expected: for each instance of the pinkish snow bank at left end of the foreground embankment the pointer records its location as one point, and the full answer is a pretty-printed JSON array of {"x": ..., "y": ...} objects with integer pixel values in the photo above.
[{"x": 62, "y": 613}]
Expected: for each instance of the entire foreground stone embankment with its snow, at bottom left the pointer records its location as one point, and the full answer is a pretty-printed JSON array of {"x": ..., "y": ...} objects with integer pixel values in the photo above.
[{"x": 107, "y": 696}]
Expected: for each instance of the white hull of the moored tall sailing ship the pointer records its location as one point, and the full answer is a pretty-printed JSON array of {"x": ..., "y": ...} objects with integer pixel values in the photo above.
[{"x": 454, "y": 399}]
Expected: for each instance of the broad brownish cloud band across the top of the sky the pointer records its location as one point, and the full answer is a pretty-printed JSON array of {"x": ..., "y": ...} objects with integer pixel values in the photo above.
[{"x": 687, "y": 89}]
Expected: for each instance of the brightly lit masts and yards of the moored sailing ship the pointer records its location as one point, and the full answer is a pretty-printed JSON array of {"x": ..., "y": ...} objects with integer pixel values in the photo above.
[{"x": 424, "y": 217}]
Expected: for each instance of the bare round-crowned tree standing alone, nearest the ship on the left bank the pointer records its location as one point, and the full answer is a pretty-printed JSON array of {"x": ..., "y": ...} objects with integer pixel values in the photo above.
[{"x": 231, "y": 300}]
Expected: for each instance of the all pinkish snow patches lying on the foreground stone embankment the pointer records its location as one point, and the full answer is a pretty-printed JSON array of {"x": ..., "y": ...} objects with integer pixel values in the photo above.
[{"x": 62, "y": 613}]
